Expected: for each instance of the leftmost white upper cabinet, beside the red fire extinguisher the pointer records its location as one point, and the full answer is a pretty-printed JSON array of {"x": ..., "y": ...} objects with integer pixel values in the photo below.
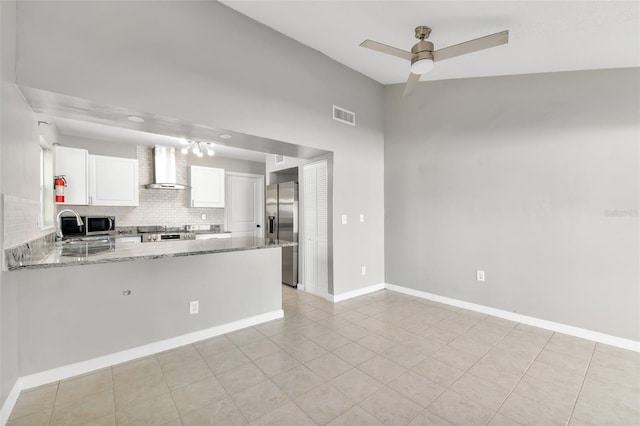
[{"x": 73, "y": 163}]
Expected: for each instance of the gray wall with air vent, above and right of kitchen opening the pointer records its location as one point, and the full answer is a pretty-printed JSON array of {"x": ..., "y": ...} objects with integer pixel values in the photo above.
[{"x": 194, "y": 61}]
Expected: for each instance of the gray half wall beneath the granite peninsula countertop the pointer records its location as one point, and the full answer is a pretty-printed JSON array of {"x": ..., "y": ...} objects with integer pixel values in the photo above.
[{"x": 73, "y": 314}]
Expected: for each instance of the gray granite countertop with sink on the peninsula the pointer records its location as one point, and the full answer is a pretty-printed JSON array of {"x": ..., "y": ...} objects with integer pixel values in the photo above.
[{"x": 111, "y": 251}]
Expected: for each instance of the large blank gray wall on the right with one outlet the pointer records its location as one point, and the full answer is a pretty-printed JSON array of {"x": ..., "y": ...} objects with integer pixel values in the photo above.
[{"x": 523, "y": 177}]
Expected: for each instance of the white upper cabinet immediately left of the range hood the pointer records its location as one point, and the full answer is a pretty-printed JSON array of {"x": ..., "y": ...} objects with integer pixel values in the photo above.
[{"x": 113, "y": 181}]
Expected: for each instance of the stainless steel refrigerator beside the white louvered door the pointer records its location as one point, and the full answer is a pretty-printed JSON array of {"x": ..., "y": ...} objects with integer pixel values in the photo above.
[{"x": 282, "y": 224}]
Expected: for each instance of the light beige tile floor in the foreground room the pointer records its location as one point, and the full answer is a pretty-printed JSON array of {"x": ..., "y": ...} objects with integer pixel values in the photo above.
[{"x": 385, "y": 358}]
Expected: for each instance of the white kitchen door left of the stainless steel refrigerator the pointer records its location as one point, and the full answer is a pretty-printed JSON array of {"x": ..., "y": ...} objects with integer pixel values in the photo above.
[{"x": 244, "y": 204}]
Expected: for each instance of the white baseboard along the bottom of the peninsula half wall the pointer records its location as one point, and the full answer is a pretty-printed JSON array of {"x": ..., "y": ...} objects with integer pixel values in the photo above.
[{"x": 83, "y": 367}]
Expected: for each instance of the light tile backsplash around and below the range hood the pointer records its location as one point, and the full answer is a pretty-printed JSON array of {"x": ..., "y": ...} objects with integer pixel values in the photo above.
[{"x": 157, "y": 206}]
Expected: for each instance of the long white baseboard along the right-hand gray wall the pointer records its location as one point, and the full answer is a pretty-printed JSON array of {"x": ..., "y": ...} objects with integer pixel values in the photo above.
[{"x": 596, "y": 336}]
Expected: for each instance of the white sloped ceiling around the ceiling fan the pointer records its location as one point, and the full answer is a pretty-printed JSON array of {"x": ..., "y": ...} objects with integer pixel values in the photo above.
[{"x": 544, "y": 36}]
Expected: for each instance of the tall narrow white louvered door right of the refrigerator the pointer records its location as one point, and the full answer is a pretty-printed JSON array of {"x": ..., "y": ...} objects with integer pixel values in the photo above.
[{"x": 316, "y": 266}]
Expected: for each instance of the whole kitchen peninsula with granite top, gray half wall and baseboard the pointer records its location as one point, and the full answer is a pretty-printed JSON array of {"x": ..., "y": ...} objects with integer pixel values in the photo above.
[{"x": 95, "y": 311}]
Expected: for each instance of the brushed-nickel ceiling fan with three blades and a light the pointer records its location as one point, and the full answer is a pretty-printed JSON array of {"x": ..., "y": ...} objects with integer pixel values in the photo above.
[{"x": 422, "y": 55}]
